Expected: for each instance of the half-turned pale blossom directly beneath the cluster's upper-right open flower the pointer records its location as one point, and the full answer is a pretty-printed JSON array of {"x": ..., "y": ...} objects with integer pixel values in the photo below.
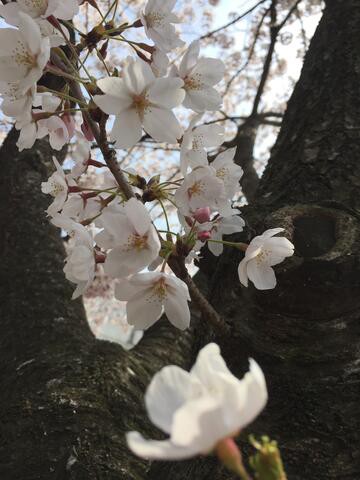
[{"x": 195, "y": 141}]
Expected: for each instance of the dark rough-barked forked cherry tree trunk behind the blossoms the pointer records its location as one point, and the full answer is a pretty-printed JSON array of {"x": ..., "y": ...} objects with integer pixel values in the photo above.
[{"x": 75, "y": 397}]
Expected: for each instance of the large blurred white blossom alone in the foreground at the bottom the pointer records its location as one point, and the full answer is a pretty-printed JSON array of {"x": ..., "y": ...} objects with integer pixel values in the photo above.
[{"x": 199, "y": 409}]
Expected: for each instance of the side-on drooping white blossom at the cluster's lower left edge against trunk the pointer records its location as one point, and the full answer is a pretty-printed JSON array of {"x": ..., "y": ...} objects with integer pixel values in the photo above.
[{"x": 80, "y": 263}]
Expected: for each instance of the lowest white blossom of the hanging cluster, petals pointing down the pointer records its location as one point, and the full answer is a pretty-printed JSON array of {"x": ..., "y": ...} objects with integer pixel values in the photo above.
[{"x": 149, "y": 295}]
